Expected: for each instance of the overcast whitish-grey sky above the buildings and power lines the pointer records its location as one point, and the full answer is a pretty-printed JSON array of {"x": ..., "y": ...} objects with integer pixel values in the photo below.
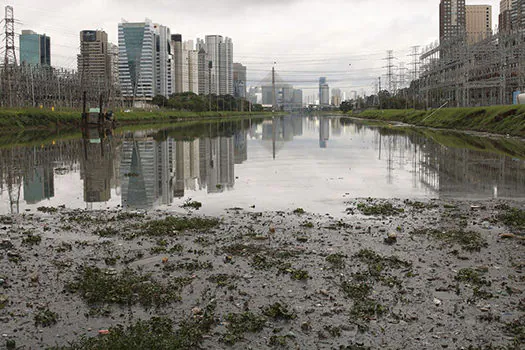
[{"x": 343, "y": 40}]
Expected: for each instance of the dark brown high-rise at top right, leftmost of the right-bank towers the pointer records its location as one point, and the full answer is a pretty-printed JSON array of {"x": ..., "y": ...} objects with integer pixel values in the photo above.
[{"x": 452, "y": 20}]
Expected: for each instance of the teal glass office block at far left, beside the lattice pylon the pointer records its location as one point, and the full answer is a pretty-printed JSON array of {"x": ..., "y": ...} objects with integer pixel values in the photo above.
[{"x": 35, "y": 49}]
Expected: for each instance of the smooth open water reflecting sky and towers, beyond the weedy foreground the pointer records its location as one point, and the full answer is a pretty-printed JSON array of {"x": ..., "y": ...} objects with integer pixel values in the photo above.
[{"x": 278, "y": 162}]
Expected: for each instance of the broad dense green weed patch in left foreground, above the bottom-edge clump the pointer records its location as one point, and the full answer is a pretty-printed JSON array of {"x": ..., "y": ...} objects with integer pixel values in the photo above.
[{"x": 126, "y": 288}]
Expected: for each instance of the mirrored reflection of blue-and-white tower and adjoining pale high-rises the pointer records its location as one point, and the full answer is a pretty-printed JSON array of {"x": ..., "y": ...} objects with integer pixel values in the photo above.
[{"x": 155, "y": 172}]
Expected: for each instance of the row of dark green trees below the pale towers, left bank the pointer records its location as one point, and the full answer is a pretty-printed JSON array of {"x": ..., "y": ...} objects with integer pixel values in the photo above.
[{"x": 189, "y": 101}]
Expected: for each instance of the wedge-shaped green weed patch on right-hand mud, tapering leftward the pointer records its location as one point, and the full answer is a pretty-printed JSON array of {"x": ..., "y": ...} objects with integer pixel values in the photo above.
[{"x": 468, "y": 240}]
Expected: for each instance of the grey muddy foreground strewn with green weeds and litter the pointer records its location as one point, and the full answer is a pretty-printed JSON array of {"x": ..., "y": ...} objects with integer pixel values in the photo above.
[{"x": 392, "y": 274}]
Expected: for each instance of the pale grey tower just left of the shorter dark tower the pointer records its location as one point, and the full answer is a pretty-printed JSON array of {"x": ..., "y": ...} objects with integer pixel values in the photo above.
[{"x": 220, "y": 53}]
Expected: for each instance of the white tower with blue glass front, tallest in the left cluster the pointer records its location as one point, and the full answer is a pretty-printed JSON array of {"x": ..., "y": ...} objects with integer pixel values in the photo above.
[{"x": 137, "y": 69}]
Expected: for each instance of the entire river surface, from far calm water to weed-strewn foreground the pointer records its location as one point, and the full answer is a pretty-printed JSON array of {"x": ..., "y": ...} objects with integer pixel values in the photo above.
[{"x": 285, "y": 233}]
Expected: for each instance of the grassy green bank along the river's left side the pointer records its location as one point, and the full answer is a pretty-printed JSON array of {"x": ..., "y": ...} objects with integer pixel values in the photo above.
[{"x": 34, "y": 119}]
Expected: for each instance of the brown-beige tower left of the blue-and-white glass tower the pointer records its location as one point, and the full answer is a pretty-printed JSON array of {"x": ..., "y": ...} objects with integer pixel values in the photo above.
[{"x": 95, "y": 58}]
